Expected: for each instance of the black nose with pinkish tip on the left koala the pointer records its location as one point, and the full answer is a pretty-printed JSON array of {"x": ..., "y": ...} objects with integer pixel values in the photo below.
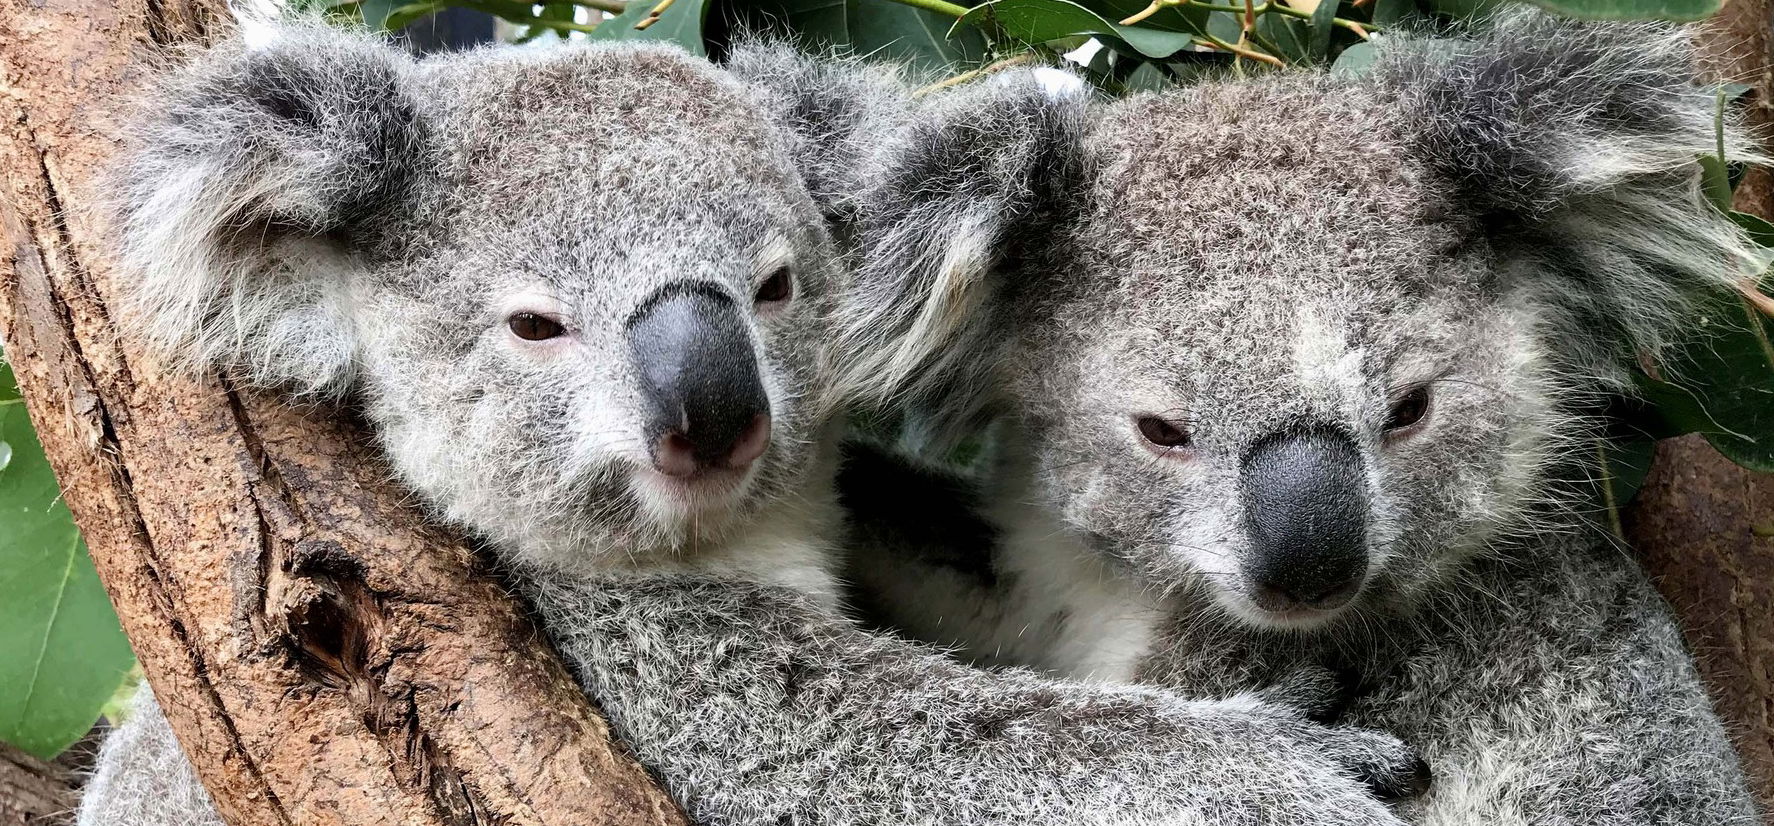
[{"x": 700, "y": 375}]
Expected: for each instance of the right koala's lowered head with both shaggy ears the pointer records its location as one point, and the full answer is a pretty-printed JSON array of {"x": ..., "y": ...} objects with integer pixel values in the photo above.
[{"x": 1305, "y": 343}]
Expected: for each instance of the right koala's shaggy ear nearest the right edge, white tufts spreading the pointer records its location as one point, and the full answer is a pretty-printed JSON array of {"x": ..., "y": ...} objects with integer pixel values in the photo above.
[{"x": 1578, "y": 144}]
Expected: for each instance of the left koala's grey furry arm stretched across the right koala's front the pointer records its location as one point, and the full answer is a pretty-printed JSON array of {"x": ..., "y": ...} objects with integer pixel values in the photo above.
[{"x": 758, "y": 706}]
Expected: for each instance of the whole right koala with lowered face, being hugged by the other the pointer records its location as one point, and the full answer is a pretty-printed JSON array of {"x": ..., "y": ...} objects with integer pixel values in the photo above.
[{"x": 1291, "y": 370}]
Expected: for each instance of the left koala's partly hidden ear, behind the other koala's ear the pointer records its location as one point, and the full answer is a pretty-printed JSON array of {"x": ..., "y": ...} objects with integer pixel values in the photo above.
[{"x": 835, "y": 111}]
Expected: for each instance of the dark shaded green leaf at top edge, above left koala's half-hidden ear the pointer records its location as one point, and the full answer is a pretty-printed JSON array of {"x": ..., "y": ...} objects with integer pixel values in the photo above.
[{"x": 899, "y": 33}]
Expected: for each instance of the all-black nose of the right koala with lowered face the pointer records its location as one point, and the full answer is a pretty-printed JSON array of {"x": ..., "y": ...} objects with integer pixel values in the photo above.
[{"x": 1307, "y": 513}]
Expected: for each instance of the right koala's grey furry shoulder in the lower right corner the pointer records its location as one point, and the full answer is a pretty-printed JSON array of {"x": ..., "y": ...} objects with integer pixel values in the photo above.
[{"x": 1567, "y": 697}]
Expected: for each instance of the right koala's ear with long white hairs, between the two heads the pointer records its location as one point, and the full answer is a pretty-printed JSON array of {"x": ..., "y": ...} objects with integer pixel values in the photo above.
[{"x": 975, "y": 187}]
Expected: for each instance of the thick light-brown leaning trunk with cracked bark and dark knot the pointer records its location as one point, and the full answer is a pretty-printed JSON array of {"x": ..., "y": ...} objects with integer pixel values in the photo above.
[{"x": 324, "y": 655}]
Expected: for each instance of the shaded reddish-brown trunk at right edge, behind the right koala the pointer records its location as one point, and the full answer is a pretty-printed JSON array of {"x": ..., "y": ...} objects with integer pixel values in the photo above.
[{"x": 1704, "y": 524}]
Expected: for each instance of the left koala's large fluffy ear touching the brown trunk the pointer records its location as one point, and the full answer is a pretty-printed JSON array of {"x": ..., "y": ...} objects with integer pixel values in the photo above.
[{"x": 246, "y": 175}]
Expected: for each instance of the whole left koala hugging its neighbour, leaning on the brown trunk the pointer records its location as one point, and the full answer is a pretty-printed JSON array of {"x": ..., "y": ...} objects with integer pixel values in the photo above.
[{"x": 585, "y": 300}]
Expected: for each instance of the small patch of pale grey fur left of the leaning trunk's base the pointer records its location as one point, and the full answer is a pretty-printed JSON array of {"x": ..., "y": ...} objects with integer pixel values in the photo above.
[{"x": 143, "y": 779}]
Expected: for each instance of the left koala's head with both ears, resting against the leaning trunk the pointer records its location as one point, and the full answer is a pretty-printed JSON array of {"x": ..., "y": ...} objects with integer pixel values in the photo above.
[{"x": 583, "y": 293}]
